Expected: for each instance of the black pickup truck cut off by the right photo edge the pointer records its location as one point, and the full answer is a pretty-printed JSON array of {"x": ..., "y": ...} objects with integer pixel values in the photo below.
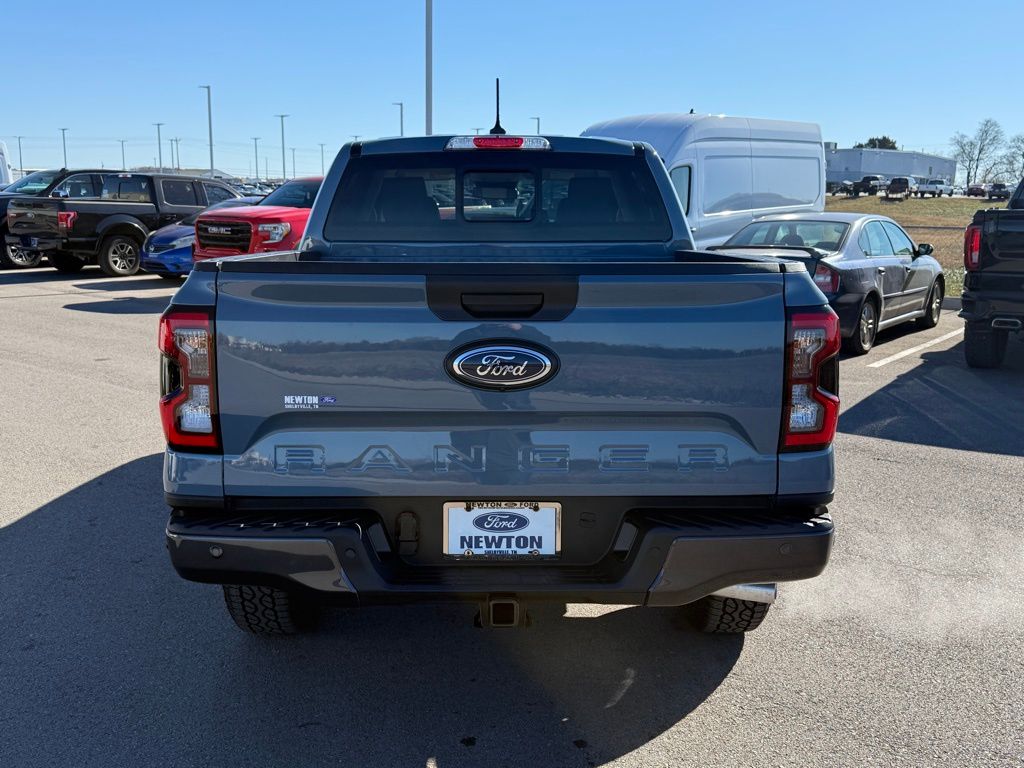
[{"x": 994, "y": 284}]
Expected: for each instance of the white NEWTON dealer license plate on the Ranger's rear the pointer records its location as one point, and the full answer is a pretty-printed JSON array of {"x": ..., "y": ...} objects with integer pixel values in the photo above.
[{"x": 503, "y": 530}]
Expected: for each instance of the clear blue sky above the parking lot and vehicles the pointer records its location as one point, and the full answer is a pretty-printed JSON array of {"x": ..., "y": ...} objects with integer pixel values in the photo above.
[{"x": 337, "y": 67}]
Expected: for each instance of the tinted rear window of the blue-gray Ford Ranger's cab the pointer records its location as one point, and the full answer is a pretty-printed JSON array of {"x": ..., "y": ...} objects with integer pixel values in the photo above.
[{"x": 497, "y": 197}]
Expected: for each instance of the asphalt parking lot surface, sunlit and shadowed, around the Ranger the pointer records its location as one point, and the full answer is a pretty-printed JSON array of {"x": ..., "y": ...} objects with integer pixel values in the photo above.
[{"x": 908, "y": 652}]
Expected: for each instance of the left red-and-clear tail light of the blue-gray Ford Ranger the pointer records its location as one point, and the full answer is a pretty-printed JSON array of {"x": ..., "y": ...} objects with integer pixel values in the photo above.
[{"x": 188, "y": 380}]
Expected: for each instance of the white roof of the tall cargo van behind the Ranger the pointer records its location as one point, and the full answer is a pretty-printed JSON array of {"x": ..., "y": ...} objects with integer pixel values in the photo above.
[{"x": 669, "y": 133}]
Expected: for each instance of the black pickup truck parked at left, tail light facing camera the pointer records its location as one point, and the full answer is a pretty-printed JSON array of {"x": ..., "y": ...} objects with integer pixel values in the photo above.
[{"x": 109, "y": 227}]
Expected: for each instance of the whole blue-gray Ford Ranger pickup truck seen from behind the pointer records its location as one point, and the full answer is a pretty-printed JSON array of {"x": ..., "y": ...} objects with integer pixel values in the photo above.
[{"x": 497, "y": 372}]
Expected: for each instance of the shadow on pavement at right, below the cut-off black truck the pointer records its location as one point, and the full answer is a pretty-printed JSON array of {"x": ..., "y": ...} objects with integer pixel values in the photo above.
[{"x": 944, "y": 403}]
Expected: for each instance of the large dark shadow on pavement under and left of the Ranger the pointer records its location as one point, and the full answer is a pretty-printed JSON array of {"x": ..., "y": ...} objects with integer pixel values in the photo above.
[{"x": 110, "y": 660}]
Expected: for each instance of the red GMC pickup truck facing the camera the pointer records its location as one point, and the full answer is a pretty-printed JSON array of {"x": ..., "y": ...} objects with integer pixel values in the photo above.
[{"x": 276, "y": 224}]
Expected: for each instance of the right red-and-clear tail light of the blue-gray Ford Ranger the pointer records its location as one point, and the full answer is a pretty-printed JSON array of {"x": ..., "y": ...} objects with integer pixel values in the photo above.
[{"x": 812, "y": 395}]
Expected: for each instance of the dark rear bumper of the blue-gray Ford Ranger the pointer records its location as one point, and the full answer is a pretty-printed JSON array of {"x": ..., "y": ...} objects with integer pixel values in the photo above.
[{"x": 673, "y": 559}]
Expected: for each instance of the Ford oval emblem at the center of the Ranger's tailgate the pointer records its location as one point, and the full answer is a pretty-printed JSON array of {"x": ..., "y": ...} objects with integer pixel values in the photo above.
[{"x": 502, "y": 366}]
